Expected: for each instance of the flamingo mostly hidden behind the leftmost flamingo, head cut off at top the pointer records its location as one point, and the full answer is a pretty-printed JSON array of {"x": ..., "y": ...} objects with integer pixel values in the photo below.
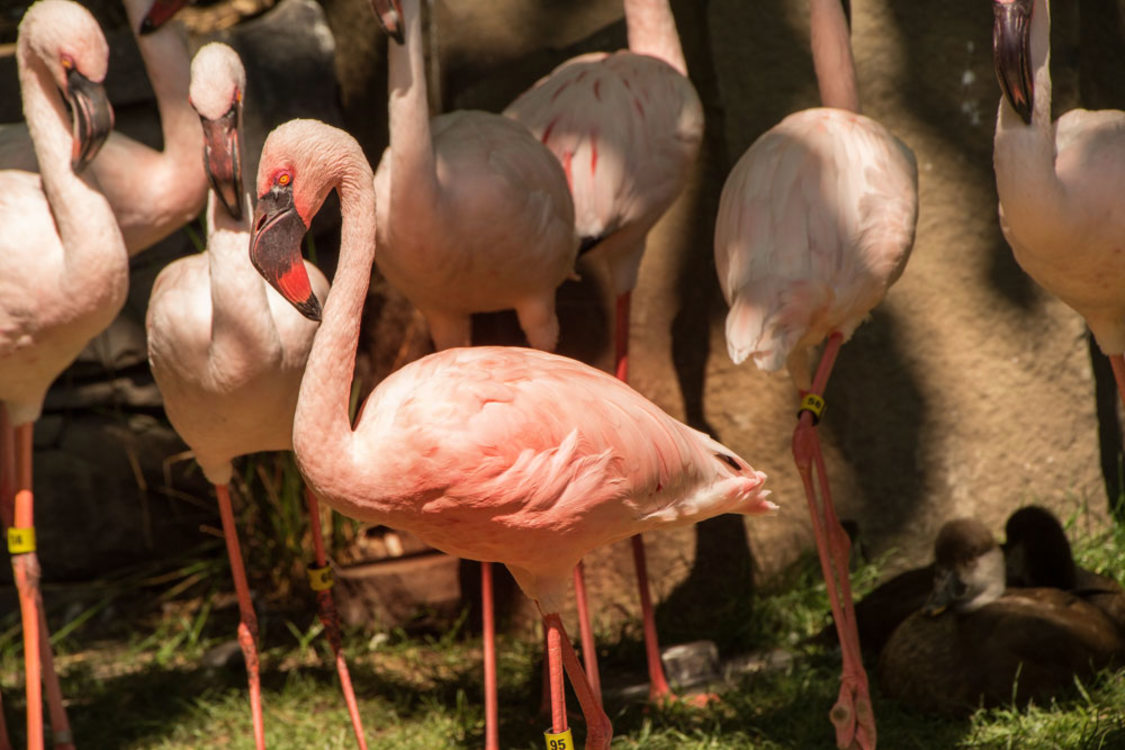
[{"x": 154, "y": 193}]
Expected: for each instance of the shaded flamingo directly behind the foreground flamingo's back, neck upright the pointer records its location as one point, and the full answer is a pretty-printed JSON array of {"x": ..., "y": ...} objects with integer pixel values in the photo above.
[{"x": 475, "y": 216}]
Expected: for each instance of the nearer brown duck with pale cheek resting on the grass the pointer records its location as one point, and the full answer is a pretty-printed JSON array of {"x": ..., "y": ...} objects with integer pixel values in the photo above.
[{"x": 977, "y": 643}]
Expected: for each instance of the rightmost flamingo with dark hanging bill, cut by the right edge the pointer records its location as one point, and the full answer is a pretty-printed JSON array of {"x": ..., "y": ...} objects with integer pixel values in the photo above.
[{"x": 1060, "y": 184}]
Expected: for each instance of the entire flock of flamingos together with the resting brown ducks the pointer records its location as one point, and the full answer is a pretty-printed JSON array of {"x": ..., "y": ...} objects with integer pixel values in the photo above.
[{"x": 514, "y": 455}]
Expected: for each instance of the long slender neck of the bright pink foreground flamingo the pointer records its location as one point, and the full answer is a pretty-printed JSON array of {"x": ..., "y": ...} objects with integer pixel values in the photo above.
[{"x": 322, "y": 431}]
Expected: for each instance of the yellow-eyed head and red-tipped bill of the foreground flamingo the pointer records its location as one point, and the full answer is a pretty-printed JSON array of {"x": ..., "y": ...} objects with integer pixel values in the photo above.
[{"x": 294, "y": 178}]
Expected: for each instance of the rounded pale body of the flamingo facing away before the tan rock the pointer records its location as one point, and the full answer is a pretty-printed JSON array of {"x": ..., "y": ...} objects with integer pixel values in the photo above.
[{"x": 816, "y": 222}]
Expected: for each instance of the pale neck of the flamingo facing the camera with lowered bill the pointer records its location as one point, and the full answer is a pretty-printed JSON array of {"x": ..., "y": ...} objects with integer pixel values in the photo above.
[{"x": 242, "y": 328}]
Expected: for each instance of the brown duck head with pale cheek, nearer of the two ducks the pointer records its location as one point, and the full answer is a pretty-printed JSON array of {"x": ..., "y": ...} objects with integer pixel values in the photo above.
[{"x": 969, "y": 570}]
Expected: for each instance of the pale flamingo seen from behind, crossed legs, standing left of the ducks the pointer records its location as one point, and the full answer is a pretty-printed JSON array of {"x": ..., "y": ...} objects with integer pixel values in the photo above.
[{"x": 816, "y": 222}]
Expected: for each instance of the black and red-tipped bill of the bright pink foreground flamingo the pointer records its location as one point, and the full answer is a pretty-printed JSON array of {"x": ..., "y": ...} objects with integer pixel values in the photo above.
[{"x": 275, "y": 250}]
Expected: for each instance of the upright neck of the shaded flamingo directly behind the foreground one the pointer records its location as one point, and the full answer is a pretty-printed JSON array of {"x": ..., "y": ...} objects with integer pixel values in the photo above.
[{"x": 415, "y": 179}]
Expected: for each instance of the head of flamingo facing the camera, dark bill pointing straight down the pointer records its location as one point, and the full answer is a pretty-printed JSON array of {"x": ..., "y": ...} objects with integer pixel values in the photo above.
[{"x": 218, "y": 83}]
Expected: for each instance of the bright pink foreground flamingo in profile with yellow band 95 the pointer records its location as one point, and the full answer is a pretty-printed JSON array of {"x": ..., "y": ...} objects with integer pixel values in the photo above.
[{"x": 503, "y": 455}]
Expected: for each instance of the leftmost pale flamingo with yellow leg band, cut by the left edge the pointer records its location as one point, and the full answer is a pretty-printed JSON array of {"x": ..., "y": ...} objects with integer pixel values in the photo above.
[{"x": 64, "y": 278}]
